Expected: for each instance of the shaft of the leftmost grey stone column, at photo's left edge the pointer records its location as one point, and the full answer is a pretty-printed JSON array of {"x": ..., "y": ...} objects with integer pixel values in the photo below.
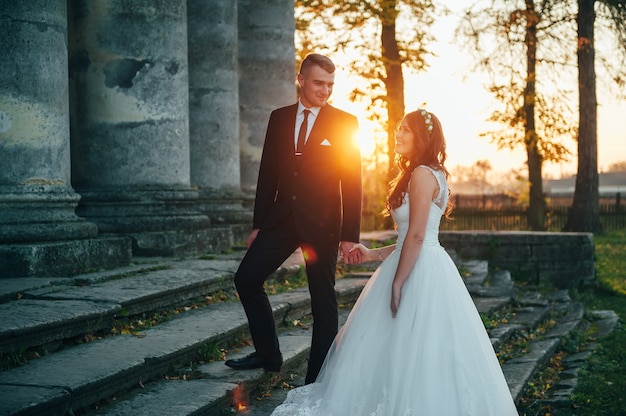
[{"x": 34, "y": 139}]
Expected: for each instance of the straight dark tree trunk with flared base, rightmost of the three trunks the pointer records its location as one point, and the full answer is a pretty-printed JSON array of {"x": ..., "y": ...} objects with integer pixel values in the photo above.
[{"x": 584, "y": 216}]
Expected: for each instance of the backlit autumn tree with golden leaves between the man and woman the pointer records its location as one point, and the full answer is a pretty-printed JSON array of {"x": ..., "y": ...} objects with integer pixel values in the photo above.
[{"x": 399, "y": 29}]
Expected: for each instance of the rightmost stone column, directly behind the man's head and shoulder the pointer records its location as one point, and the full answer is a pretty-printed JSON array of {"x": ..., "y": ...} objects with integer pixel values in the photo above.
[{"x": 267, "y": 74}]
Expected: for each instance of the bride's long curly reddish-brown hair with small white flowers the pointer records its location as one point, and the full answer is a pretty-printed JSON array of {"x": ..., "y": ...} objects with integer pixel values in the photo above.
[{"x": 430, "y": 151}]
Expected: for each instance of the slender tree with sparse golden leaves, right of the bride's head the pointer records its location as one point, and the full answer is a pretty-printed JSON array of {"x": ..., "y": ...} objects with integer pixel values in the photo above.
[{"x": 503, "y": 35}]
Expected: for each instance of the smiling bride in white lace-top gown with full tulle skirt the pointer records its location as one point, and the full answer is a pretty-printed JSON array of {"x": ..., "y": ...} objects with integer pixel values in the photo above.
[{"x": 414, "y": 343}]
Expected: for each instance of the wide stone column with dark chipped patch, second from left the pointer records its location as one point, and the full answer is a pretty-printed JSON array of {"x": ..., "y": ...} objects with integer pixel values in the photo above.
[{"x": 130, "y": 125}]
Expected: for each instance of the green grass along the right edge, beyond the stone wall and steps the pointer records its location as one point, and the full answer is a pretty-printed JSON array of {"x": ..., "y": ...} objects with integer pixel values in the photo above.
[{"x": 601, "y": 388}]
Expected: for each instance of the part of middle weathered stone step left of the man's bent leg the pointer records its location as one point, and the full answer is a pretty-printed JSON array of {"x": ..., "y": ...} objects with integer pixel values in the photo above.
[{"x": 99, "y": 369}]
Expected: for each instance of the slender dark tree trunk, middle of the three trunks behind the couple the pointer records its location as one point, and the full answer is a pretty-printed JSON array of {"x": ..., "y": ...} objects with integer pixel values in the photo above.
[{"x": 537, "y": 204}]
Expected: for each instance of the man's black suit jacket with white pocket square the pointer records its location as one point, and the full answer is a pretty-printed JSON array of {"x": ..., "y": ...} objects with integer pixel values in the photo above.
[{"x": 322, "y": 187}]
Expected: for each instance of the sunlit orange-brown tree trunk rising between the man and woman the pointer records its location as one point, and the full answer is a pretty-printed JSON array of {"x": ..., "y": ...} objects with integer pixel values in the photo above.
[{"x": 394, "y": 81}]
